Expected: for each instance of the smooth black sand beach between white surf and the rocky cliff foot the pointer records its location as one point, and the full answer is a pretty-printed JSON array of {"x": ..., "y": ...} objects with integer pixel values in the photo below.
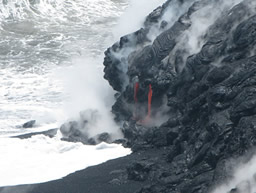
[{"x": 108, "y": 177}]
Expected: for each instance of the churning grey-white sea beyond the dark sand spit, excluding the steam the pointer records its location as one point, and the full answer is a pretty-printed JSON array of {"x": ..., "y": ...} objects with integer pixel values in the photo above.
[{"x": 37, "y": 38}]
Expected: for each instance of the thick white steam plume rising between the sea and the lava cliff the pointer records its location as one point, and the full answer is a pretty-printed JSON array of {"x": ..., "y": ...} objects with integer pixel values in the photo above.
[{"x": 89, "y": 92}]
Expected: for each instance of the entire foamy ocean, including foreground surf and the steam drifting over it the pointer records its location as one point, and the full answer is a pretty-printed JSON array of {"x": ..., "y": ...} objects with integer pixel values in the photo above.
[{"x": 51, "y": 54}]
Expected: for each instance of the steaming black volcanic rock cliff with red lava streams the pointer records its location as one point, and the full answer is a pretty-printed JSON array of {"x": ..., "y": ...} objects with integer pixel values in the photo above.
[{"x": 204, "y": 93}]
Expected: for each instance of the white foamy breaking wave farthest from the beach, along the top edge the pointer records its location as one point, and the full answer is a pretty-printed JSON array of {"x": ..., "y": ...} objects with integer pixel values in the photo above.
[{"x": 58, "y": 10}]
